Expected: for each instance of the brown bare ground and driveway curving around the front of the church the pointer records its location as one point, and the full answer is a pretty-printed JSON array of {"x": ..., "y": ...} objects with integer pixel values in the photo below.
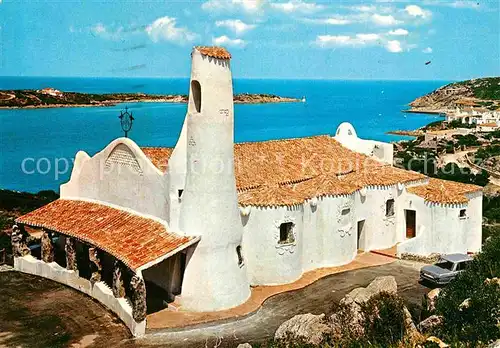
[{"x": 36, "y": 312}]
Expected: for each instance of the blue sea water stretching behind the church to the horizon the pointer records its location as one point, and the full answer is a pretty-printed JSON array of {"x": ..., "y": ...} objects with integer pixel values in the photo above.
[{"x": 41, "y": 137}]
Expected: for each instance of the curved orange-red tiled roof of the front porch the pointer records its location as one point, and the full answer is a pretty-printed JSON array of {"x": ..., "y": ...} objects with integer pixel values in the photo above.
[{"x": 133, "y": 239}]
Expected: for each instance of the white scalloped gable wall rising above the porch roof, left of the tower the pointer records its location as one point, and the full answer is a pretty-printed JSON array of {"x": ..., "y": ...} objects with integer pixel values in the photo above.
[{"x": 122, "y": 175}]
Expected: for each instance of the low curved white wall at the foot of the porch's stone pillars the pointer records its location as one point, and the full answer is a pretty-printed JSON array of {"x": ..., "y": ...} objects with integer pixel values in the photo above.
[{"x": 99, "y": 291}]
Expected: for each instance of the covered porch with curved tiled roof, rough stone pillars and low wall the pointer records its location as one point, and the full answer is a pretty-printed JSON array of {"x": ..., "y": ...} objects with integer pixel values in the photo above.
[{"x": 115, "y": 256}]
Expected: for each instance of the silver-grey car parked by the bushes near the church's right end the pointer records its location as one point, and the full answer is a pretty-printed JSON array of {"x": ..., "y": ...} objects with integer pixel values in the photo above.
[{"x": 446, "y": 269}]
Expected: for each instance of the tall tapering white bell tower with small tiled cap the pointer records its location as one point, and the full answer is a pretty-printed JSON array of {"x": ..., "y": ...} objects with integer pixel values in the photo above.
[{"x": 214, "y": 279}]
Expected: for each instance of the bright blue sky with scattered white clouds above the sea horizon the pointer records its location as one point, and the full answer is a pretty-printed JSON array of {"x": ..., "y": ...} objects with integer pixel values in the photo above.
[{"x": 290, "y": 39}]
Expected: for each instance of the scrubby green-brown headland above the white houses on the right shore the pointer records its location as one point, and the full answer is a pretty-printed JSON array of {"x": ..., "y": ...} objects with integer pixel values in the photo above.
[{"x": 483, "y": 92}]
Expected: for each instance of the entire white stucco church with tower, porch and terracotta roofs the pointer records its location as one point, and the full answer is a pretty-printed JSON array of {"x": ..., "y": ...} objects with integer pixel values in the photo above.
[{"x": 204, "y": 221}]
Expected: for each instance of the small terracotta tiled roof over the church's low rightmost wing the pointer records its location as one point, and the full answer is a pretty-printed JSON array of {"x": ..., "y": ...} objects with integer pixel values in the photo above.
[{"x": 444, "y": 192}]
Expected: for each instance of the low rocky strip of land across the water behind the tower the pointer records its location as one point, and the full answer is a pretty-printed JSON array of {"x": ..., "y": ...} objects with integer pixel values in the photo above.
[{"x": 52, "y": 98}]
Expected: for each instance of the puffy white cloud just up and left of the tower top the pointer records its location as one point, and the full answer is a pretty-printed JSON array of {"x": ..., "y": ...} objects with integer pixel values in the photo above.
[{"x": 166, "y": 29}]
